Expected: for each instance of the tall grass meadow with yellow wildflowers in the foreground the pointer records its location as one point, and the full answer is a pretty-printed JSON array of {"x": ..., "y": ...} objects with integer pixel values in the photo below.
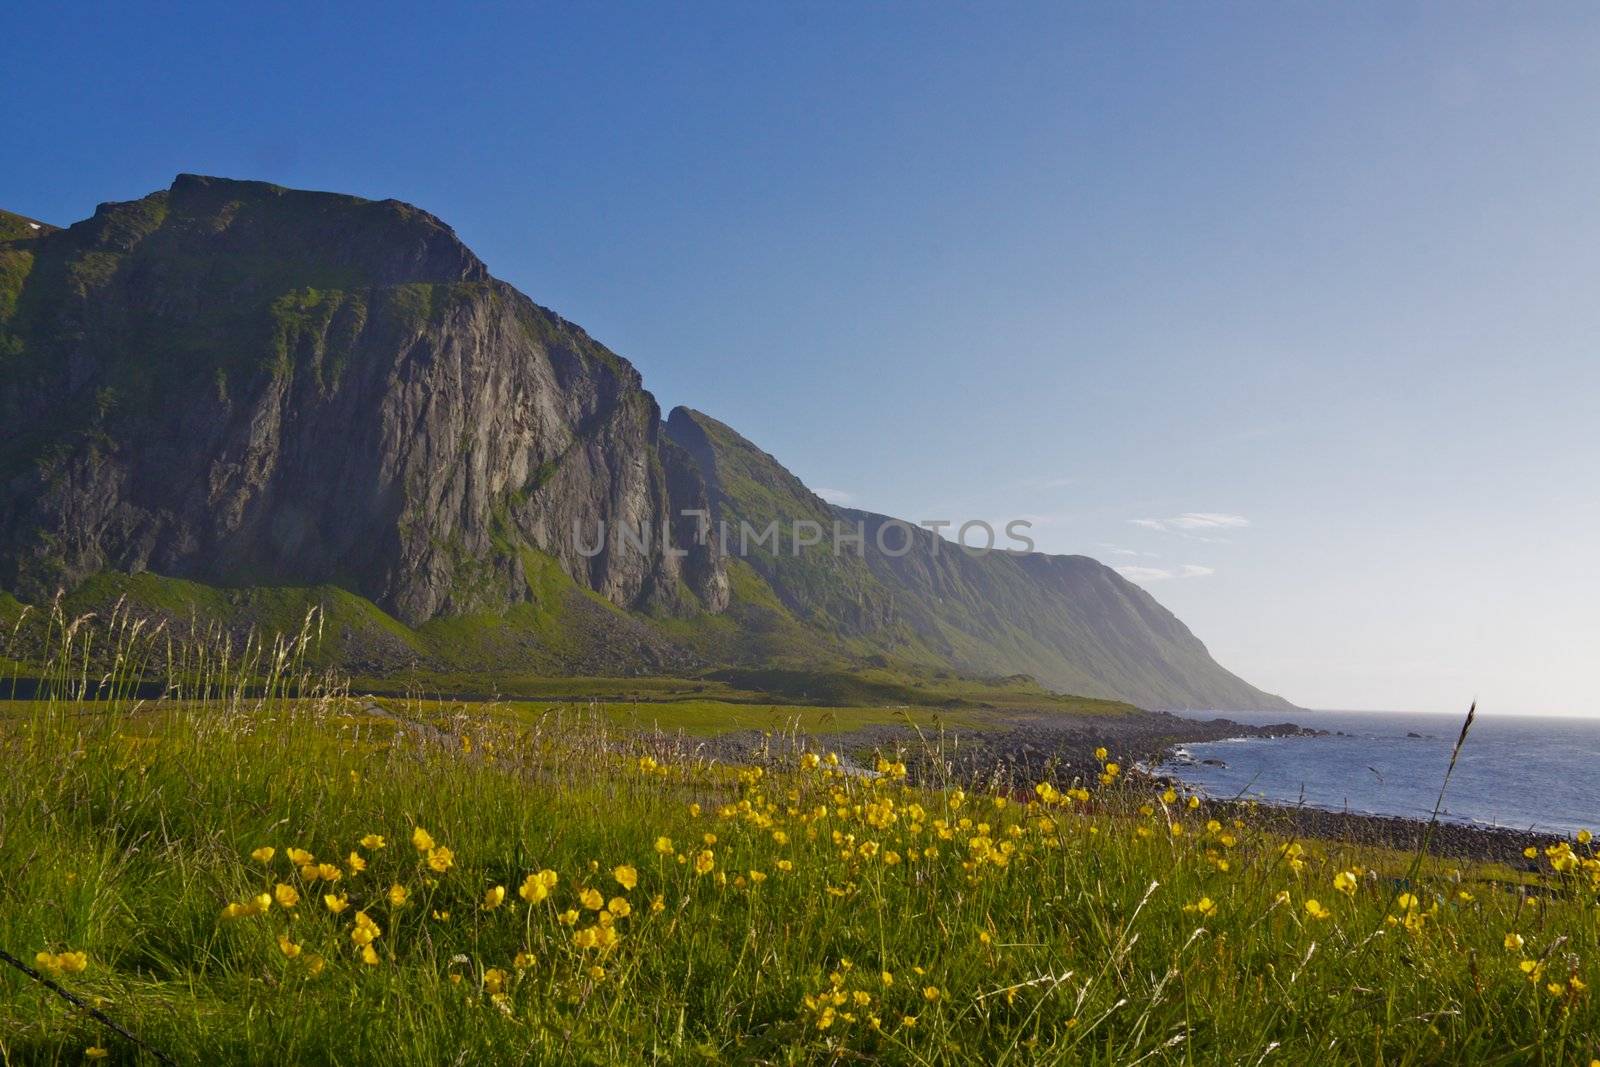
[{"x": 260, "y": 869}]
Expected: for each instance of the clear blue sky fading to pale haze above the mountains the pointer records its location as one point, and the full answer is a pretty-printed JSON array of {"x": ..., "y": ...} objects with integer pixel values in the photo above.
[{"x": 1292, "y": 313}]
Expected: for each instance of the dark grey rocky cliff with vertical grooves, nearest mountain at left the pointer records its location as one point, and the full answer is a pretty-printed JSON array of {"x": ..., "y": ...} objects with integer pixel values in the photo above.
[{"x": 236, "y": 383}]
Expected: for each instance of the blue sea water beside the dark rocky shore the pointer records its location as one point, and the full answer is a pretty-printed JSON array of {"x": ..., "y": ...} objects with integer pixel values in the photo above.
[{"x": 1514, "y": 772}]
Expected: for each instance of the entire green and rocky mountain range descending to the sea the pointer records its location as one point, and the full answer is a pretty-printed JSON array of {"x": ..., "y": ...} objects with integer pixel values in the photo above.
[{"x": 231, "y": 399}]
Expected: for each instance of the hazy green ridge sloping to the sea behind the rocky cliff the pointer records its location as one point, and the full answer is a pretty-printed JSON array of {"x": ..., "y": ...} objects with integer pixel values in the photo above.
[{"x": 1070, "y": 621}]
